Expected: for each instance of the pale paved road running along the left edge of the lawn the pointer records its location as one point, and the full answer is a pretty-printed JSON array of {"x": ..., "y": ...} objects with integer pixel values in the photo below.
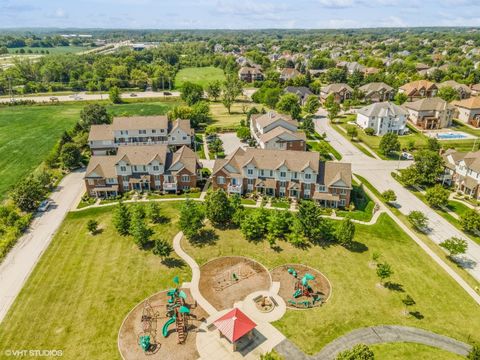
[{"x": 21, "y": 260}]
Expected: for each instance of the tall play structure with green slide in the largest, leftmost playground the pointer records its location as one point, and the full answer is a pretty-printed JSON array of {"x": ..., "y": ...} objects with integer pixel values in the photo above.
[{"x": 177, "y": 312}]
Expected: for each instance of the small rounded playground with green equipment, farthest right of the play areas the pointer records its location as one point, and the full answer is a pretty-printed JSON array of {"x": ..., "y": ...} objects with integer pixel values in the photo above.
[{"x": 301, "y": 287}]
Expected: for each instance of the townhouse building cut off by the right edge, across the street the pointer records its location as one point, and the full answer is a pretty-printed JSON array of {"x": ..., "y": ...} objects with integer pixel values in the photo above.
[{"x": 462, "y": 169}]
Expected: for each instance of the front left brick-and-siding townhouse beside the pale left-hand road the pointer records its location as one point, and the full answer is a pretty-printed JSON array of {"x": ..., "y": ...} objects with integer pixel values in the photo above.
[{"x": 142, "y": 168}]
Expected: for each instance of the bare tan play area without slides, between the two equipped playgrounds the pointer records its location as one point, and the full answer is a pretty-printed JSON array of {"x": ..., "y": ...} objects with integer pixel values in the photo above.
[{"x": 226, "y": 280}]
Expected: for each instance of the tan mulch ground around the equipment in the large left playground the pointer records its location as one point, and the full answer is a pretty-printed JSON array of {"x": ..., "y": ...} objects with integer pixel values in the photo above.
[{"x": 128, "y": 339}]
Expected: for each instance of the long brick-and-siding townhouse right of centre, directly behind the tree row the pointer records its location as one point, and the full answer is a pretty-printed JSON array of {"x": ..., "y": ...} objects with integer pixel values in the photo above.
[{"x": 284, "y": 173}]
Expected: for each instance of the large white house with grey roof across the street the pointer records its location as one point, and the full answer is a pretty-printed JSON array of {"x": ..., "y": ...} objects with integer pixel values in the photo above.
[{"x": 384, "y": 117}]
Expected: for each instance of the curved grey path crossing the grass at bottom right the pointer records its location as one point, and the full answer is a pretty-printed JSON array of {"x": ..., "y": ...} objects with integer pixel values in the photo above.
[{"x": 388, "y": 334}]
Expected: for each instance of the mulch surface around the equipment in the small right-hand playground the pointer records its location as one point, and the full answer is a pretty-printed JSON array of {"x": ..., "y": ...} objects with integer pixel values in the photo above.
[{"x": 287, "y": 282}]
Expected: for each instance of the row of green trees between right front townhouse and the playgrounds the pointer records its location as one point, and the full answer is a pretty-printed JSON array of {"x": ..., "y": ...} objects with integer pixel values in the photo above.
[{"x": 307, "y": 226}]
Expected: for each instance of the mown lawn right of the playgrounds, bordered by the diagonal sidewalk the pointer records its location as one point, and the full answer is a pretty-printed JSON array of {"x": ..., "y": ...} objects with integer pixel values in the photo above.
[{"x": 357, "y": 301}]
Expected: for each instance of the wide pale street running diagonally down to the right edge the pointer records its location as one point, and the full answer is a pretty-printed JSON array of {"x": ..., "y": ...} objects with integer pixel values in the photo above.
[{"x": 377, "y": 172}]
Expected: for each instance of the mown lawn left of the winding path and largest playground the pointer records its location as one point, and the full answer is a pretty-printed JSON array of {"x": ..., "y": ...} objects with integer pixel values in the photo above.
[{"x": 84, "y": 286}]
